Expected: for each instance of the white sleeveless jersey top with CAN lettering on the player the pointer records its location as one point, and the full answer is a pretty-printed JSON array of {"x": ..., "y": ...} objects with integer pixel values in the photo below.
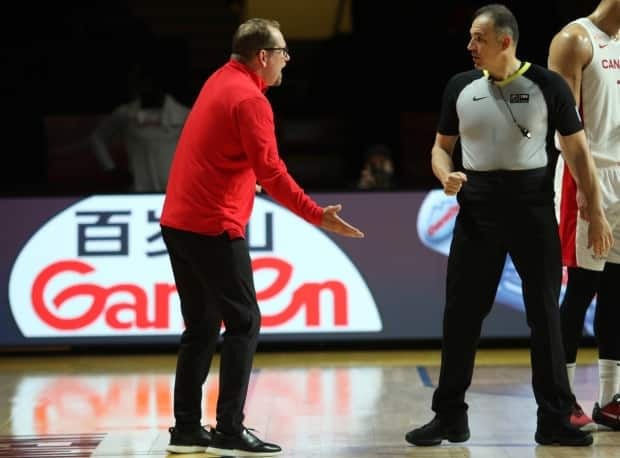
[{"x": 600, "y": 96}]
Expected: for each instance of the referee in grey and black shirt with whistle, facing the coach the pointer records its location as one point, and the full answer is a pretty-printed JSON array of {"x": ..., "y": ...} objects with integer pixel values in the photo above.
[{"x": 506, "y": 112}]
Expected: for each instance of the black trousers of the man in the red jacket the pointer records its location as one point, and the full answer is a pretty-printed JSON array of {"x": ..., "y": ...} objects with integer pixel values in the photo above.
[{"x": 213, "y": 276}]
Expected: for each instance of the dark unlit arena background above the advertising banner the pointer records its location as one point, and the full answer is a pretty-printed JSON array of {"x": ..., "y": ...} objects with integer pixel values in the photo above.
[{"x": 64, "y": 64}]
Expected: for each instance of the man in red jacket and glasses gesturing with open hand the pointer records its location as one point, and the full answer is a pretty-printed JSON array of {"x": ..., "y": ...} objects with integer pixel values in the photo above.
[{"x": 227, "y": 145}]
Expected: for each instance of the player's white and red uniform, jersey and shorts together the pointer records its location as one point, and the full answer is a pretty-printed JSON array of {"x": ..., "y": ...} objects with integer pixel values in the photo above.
[{"x": 600, "y": 107}]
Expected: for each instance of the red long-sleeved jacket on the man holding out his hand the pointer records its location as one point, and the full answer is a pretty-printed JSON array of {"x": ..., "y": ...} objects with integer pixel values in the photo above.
[{"x": 228, "y": 143}]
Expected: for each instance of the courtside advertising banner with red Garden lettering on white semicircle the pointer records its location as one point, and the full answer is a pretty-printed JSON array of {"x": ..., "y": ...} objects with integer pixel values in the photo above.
[{"x": 94, "y": 270}]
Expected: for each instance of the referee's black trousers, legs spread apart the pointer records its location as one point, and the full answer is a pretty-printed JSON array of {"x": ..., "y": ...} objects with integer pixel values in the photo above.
[{"x": 485, "y": 232}]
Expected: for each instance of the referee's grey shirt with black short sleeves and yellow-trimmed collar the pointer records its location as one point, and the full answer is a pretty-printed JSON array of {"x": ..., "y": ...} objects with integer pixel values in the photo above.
[{"x": 487, "y": 115}]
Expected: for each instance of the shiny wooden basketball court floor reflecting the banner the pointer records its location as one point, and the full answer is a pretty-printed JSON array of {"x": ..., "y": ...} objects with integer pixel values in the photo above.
[{"x": 329, "y": 404}]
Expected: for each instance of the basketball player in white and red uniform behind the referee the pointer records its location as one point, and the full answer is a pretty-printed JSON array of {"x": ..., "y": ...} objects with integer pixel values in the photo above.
[{"x": 586, "y": 52}]
